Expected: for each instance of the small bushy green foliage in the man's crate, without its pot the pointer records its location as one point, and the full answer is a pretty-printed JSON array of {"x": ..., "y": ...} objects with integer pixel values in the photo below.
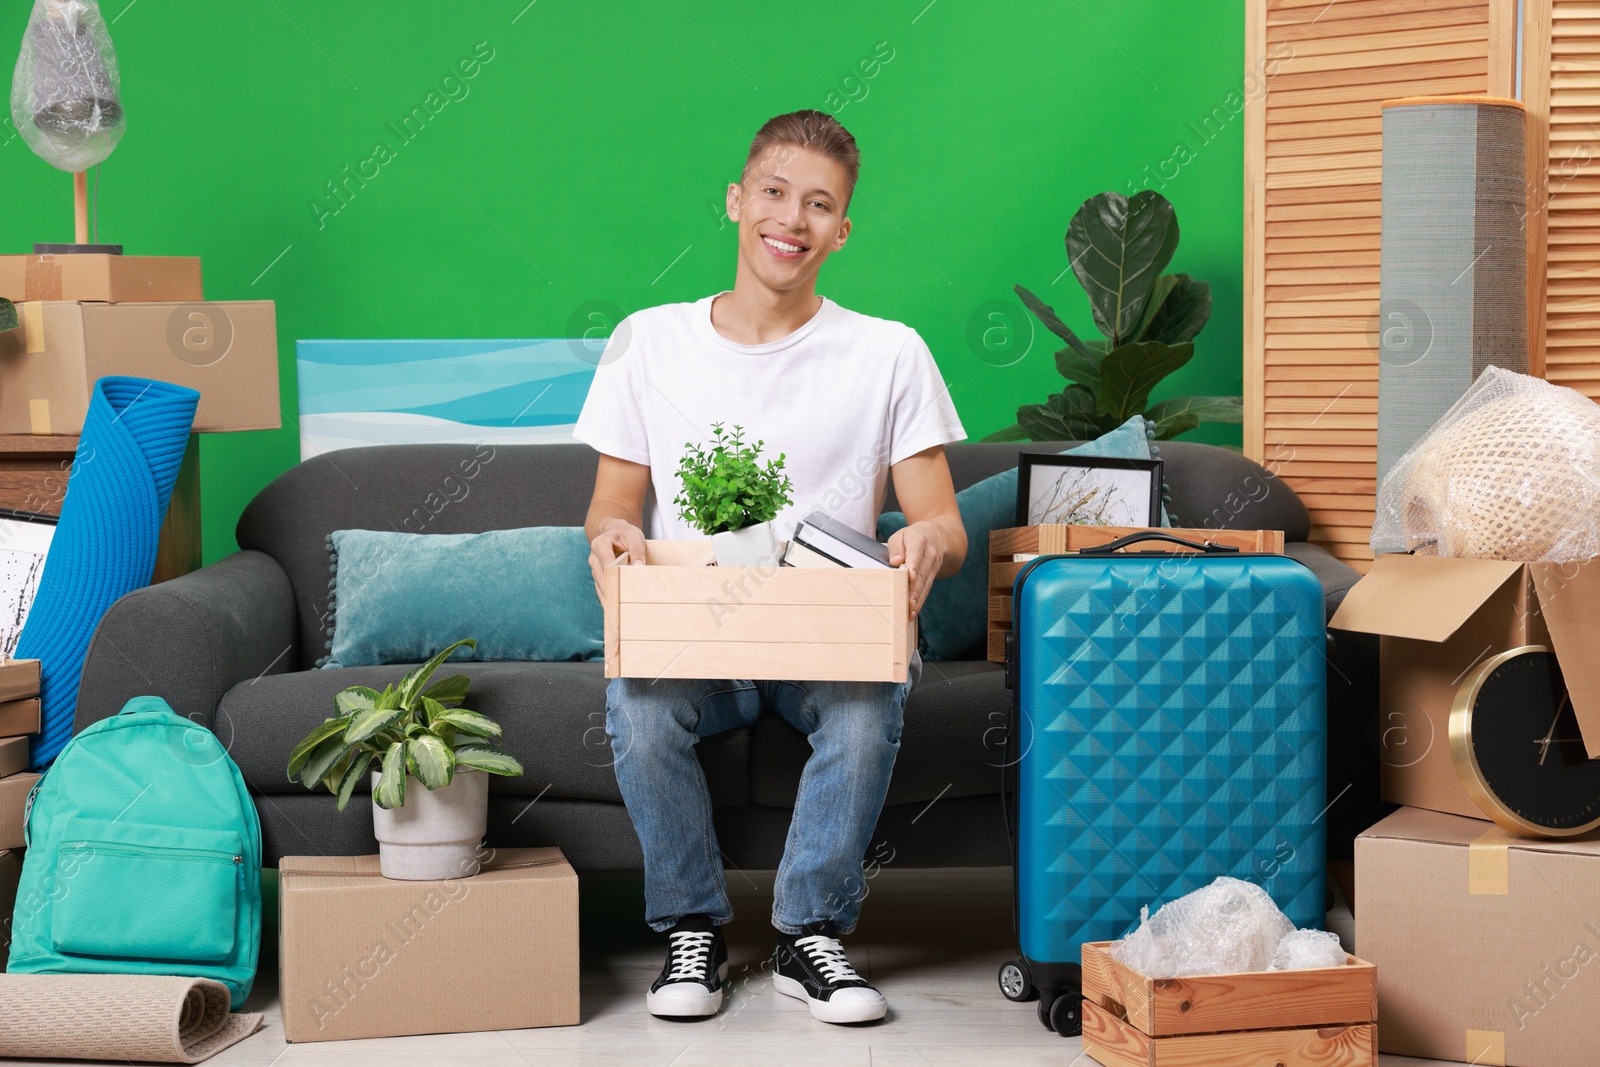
[{"x": 727, "y": 487}]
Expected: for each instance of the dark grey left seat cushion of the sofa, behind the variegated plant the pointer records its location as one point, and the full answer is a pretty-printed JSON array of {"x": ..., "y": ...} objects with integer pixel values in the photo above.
[{"x": 553, "y": 716}]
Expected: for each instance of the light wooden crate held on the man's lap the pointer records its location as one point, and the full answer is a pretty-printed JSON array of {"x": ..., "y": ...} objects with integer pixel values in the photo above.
[{"x": 679, "y": 618}]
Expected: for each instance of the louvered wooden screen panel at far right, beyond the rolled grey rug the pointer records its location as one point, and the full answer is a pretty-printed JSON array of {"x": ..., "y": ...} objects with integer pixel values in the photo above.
[{"x": 1562, "y": 90}]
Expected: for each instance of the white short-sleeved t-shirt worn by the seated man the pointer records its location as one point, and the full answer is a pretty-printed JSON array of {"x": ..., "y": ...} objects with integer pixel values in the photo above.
[{"x": 844, "y": 399}]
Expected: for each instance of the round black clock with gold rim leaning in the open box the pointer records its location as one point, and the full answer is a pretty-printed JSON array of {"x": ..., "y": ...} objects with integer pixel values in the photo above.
[{"x": 1518, "y": 749}]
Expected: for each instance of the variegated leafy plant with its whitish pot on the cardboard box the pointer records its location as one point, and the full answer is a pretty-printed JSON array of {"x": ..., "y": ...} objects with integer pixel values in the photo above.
[{"x": 420, "y": 735}]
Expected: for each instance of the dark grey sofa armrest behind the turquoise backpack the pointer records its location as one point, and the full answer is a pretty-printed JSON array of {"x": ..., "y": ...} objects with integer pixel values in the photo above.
[{"x": 191, "y": 639}]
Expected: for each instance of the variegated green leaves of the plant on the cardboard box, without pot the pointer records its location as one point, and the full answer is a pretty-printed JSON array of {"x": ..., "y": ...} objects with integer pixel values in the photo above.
[{"x": 410, "y": 729}]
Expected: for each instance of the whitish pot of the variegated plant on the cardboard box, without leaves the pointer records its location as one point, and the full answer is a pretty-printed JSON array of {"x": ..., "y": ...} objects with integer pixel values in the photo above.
[{"x": 436, "y": 833}]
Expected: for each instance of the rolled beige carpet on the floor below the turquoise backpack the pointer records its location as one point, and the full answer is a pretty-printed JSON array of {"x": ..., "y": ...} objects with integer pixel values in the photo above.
[{"x": 143, "y": 1018}]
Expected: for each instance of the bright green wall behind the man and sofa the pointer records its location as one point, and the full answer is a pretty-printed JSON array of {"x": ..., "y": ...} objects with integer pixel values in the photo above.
[{"x": 586, "y": 161}]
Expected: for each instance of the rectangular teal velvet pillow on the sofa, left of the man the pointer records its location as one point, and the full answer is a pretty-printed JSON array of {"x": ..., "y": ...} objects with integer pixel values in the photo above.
[{"x": 401, "y": 597}]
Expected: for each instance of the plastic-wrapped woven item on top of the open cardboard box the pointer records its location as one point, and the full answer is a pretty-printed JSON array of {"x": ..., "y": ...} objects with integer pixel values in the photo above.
[{"x": 1511, "y": 473}]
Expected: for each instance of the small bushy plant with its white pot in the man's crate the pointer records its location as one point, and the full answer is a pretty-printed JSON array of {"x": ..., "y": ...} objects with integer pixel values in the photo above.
[{"x": 730, "y": 497}]
